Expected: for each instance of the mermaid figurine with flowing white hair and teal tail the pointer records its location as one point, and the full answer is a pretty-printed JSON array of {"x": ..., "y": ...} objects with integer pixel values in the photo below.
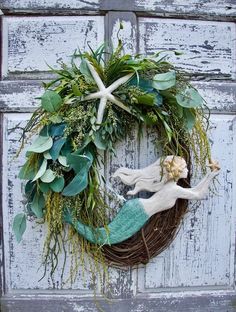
[{"x": 159, "y": 178}]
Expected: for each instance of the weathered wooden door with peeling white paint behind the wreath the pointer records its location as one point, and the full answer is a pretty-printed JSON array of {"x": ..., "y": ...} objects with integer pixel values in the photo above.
[{"x": 197, "y": 272}]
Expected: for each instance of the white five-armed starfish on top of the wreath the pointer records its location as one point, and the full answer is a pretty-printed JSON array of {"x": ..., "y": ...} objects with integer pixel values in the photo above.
[{"x": 105, "y": 94}]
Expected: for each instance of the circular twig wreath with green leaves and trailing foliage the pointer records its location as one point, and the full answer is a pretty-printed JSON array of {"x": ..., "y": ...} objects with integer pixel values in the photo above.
[{"x": 88, "y": 108}]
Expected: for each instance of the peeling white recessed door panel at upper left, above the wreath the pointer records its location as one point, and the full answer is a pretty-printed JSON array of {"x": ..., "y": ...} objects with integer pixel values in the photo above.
[{"x": 30, "y": 43}]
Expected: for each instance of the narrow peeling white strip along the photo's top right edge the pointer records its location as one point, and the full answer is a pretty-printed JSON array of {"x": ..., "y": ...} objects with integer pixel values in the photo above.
[{"x": 213, "y": 7}]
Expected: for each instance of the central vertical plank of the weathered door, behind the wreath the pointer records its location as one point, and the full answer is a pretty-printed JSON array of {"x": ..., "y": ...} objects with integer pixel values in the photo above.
[{"x": 122, "y": 282}]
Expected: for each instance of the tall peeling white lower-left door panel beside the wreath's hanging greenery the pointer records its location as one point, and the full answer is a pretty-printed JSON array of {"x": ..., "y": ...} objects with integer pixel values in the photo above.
[{"x": 23, "y": 260}]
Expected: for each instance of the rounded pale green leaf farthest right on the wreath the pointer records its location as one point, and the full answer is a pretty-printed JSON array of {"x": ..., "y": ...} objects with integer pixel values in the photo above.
[{"x": 189, "y": 98}]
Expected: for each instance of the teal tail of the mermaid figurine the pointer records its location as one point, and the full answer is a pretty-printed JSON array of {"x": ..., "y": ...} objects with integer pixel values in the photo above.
[{"x": 130, "y": 219}]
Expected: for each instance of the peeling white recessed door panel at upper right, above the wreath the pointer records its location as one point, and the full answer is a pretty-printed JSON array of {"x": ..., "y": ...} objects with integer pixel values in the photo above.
[{"x": 208, "y": 47}]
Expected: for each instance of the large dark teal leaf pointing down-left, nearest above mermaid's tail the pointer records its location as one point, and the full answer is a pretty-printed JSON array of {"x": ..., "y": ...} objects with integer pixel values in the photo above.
[{"x": 77, "y": 185}]
